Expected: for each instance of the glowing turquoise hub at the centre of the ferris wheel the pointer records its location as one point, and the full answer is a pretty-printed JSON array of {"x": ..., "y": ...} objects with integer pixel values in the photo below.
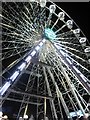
[{"x": 49, "y": 34}]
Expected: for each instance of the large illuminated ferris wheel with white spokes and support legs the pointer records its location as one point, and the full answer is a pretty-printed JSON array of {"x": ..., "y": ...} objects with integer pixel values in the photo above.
[{"x": 45, "y": 61}]
